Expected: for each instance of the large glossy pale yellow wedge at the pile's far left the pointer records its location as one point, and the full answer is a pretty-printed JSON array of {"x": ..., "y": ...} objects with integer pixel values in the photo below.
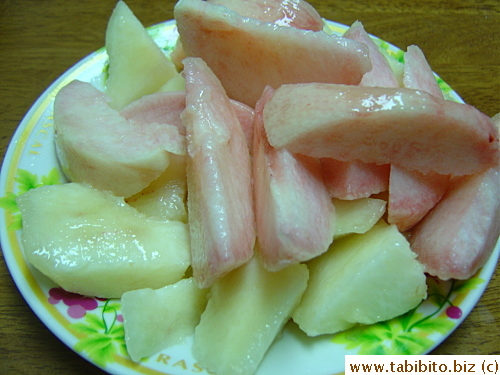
[{"x": 90, "y": 242}]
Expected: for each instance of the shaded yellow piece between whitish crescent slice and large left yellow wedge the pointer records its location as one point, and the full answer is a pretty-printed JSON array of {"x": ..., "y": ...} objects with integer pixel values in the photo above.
[{"x": 165, "y": 198}]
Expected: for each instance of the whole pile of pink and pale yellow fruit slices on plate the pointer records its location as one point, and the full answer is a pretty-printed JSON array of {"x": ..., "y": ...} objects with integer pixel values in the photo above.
[{"x": 259, "y": 172}]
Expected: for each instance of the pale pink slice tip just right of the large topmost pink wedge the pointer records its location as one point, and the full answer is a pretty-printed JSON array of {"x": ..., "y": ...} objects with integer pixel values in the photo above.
[{"x": 381, "y": 74}]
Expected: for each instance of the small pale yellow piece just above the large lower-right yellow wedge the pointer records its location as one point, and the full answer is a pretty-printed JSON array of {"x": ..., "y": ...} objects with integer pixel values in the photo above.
[{"x": 357, "y": 216}]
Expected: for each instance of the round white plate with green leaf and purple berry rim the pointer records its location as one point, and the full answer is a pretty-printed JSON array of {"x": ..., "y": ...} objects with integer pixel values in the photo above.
[{"x": 97, "y": 334}]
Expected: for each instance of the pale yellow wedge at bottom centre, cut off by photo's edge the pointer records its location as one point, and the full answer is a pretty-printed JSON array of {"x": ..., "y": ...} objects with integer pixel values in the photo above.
[{"x": 246, "y": 311}]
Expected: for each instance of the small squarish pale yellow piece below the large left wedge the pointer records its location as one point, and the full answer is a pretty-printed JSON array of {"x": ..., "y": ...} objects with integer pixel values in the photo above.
[{"x": 156, "y": 319}]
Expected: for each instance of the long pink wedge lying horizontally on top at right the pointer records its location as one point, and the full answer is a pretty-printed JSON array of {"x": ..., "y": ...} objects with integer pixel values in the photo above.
[{"x": 409, "y": 128}]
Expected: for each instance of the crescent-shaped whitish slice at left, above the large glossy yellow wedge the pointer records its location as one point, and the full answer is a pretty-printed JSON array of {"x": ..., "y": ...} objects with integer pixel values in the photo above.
[{"x": 97, "y": 146}]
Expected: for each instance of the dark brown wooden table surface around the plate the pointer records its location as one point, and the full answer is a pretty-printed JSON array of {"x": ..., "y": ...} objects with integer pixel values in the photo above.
[{"x": 40, "y": 40}]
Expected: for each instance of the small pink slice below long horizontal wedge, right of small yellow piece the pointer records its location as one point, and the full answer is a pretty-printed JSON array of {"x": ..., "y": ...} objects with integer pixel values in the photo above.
[{"x": 412, "y": 194}]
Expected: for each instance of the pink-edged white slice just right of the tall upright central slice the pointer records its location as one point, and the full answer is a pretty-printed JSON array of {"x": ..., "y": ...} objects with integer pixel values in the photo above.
[{"x": 295, "y": 217}]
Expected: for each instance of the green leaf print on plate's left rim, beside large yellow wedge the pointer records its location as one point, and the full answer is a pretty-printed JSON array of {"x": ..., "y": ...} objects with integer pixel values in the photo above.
[{"x": 25, "y": 182}]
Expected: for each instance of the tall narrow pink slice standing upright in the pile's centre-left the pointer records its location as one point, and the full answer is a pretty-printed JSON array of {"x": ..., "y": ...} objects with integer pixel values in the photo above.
[{"x": 220, "y": 206}]
